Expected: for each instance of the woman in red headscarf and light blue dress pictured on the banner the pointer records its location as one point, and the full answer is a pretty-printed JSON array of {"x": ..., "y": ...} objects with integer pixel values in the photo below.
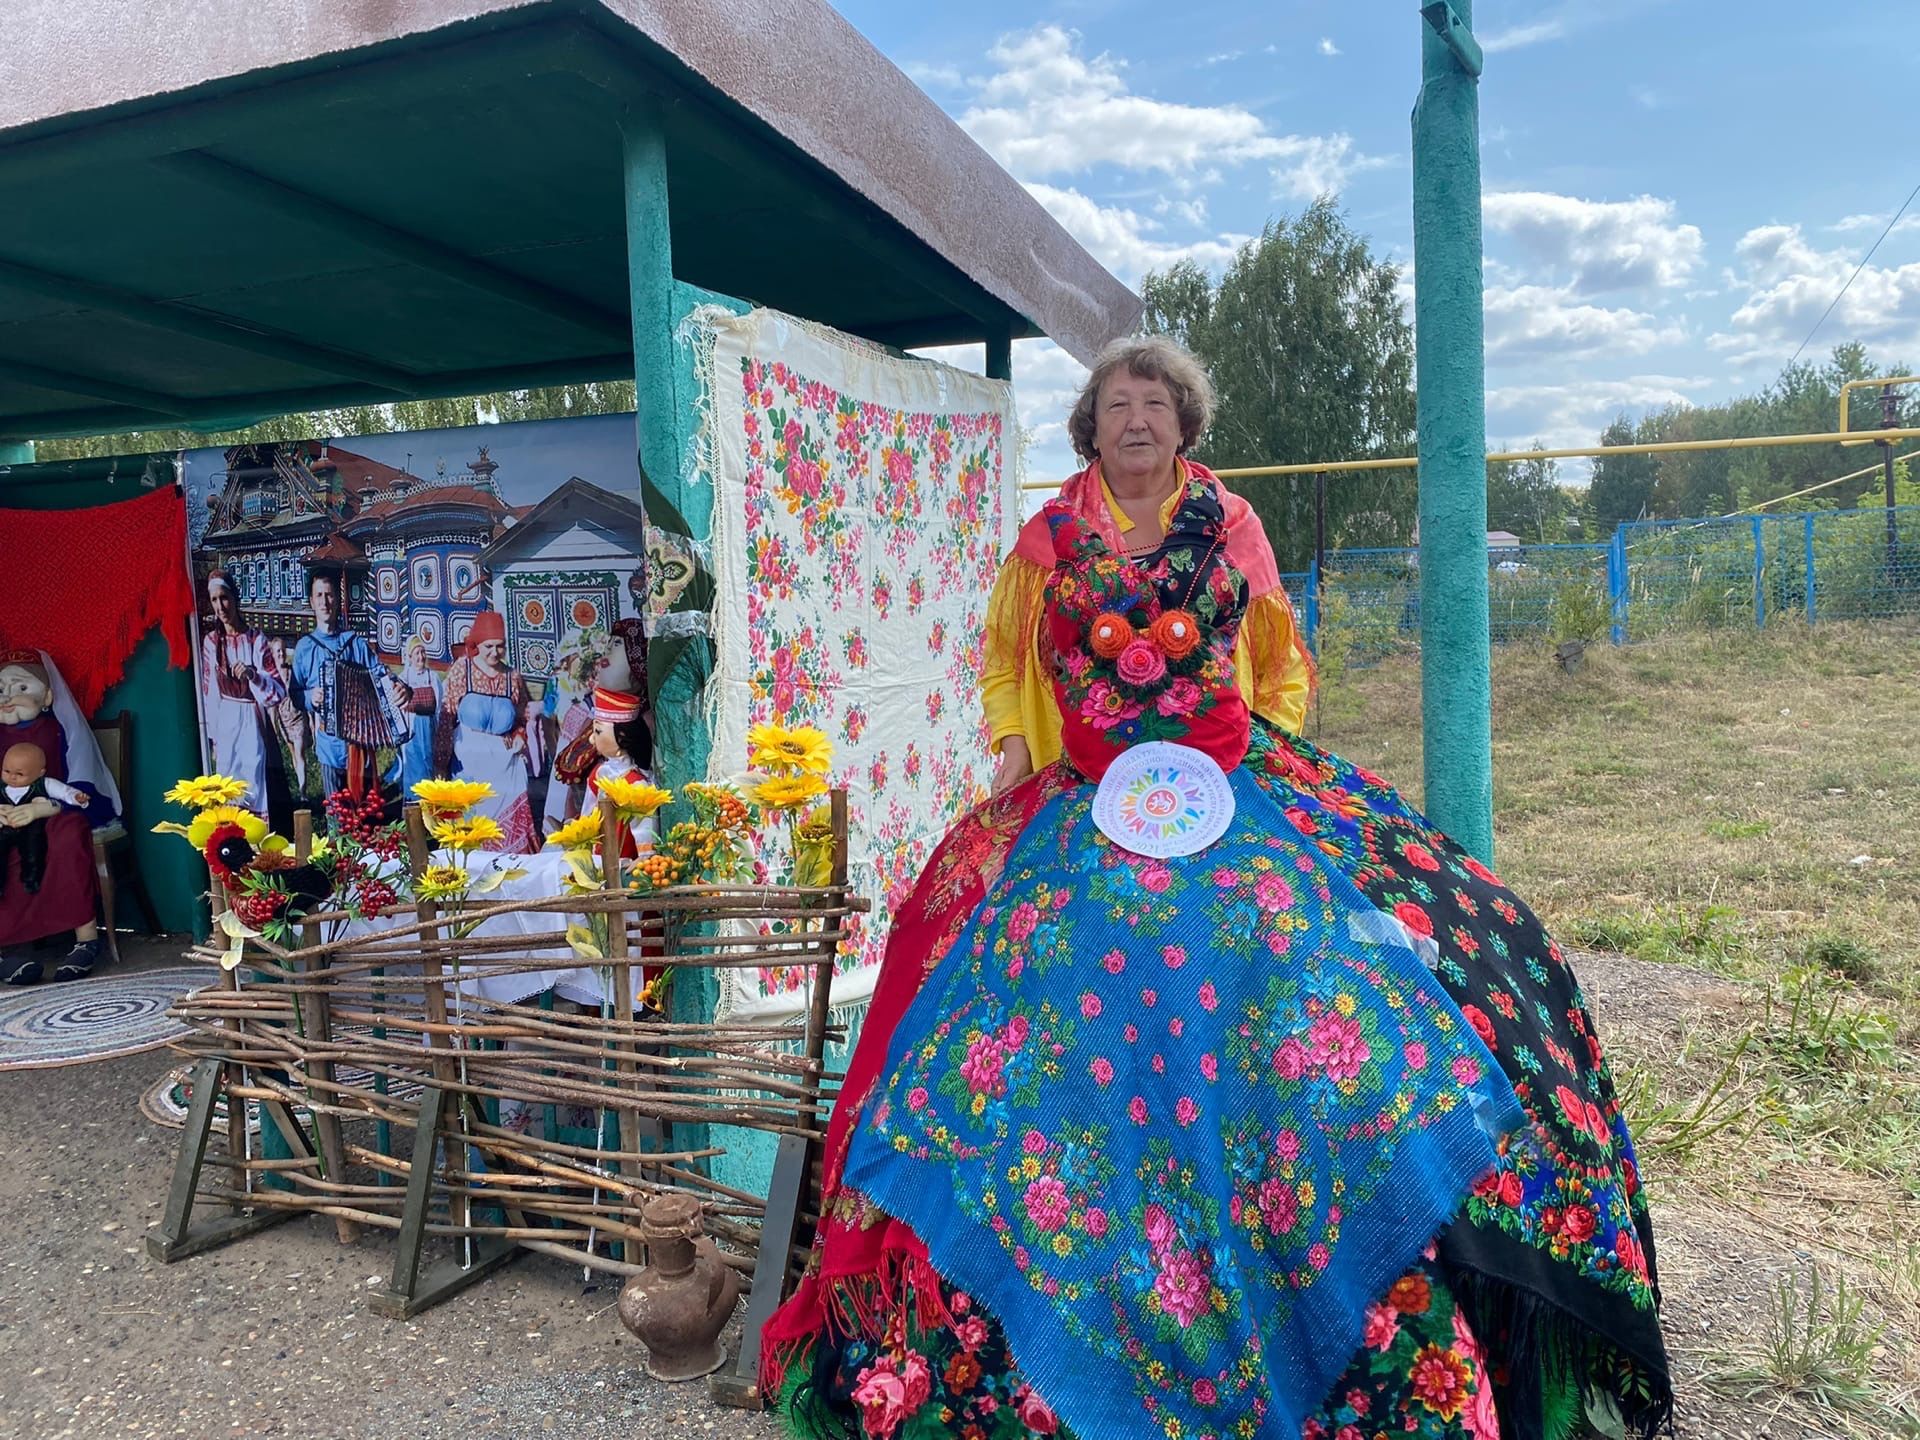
[{"x": 485, "y": 732}]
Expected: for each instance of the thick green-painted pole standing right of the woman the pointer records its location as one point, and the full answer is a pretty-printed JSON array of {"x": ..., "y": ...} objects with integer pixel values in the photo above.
[{"x": 1452, "y": 433}]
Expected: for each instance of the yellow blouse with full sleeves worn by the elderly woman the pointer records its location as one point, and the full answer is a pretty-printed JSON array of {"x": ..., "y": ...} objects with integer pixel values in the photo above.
[{"x": 1019, "y": 694}]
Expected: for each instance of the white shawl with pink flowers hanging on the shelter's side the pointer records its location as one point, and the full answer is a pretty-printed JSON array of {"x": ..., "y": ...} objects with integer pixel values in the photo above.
[{"x": 876, "y": 537}]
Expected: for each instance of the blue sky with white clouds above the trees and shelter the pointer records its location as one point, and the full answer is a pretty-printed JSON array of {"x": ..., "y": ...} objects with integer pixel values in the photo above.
[{"x": 1675, "y": 189}]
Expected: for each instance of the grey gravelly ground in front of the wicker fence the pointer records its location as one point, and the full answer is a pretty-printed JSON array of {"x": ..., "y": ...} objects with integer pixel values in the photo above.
[{"x": 274, "y": 1335}]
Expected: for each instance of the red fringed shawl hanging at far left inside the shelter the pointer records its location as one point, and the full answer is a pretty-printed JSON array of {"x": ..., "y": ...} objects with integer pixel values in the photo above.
[{"x": 87, "y": 587}]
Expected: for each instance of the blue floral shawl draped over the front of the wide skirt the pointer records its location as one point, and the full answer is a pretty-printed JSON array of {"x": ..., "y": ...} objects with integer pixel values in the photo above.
[{"x": 1072, "y": 1036}]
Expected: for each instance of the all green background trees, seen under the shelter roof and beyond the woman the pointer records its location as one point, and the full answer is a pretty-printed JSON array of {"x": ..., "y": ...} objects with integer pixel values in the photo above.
[{"x": 1308, "y": 343}]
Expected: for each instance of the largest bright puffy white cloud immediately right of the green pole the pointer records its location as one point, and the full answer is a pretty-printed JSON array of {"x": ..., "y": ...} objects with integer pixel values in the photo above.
[{"x": 1598, "y": 245}]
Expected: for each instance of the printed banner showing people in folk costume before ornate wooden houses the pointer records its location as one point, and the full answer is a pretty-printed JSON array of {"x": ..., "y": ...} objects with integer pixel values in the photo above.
[{"x": 383, "y": 610}]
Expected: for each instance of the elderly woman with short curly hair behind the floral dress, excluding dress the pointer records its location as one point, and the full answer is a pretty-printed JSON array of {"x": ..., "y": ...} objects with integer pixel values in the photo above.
[{"x": 1140, "y": 414}]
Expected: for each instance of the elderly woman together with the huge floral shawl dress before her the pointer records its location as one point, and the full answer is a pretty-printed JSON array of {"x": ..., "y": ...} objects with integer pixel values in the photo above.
[{"x": 1207, "y": 1088}]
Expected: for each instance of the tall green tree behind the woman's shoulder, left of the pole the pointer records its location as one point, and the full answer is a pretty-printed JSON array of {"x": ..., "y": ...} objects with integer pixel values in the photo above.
[{"x": 1312, "y": 360}]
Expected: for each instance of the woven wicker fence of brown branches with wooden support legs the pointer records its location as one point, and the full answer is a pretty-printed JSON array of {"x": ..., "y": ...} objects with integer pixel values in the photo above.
[{"x": 379, "y": 1080}]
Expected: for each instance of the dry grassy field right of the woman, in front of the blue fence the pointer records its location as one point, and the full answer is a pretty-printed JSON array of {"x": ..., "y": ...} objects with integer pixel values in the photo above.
[{"x": 1742, "y": 817}]
